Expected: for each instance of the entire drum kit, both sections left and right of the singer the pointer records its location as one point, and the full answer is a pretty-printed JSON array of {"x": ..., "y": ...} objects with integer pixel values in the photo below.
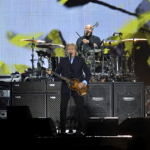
[{"x": 103, "y": 66}]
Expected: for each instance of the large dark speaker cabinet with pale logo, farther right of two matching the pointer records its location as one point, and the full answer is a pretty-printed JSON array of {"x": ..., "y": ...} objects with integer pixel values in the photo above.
[{"x": 128, "y": 100}]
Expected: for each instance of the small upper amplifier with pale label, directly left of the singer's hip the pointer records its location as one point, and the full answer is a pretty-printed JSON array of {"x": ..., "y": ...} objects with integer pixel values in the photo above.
[{"x": 53, "y": 87}]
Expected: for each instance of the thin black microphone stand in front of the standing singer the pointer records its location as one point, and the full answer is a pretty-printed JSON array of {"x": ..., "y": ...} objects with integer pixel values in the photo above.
[{"x": 70, "y": 73}]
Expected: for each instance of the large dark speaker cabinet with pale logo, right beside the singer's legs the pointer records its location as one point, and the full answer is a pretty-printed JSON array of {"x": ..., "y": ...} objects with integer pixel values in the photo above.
[{"x": 99, "y": 100}]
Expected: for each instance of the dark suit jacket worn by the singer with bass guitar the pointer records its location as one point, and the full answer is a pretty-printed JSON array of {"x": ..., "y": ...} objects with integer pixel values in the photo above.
[{"x": 78, "y": 66}]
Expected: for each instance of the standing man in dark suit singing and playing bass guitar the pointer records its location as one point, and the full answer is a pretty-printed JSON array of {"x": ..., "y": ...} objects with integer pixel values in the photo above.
[{"x": 72, "y": 67}]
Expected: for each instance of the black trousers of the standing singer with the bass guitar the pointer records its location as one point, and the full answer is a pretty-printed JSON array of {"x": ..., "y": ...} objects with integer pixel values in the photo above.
[{"x": 79, "y": 101}]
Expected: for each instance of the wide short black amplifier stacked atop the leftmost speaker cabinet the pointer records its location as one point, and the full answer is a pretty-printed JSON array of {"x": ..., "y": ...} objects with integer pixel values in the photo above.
[{"x": 28, "y": 87}]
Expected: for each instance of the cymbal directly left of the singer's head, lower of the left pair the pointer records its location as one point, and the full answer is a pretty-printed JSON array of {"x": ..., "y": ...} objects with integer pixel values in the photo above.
[{"x": 49, "y": 45}]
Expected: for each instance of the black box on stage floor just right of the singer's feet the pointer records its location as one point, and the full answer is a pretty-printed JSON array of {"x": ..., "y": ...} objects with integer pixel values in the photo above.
[{"x": 97, "y": 126}]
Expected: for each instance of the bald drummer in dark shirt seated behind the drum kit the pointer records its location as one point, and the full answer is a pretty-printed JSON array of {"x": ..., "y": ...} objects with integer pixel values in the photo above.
[{"x": 88, "y": 41}]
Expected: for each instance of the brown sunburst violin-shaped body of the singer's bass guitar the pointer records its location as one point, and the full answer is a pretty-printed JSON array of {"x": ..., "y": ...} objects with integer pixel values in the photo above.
[{"x": 74, "y": 86}]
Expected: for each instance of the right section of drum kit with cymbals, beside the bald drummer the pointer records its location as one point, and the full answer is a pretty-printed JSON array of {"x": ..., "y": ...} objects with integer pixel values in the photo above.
[{"x": 110, "y": 67}]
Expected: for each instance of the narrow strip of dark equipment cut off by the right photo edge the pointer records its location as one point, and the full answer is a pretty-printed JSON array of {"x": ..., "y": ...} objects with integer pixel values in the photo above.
[{"x": 147, "y": 101}]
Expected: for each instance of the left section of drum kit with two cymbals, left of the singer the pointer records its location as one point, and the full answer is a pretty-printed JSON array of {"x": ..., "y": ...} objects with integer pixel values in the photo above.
[{"x": 47, "y": 51}]
